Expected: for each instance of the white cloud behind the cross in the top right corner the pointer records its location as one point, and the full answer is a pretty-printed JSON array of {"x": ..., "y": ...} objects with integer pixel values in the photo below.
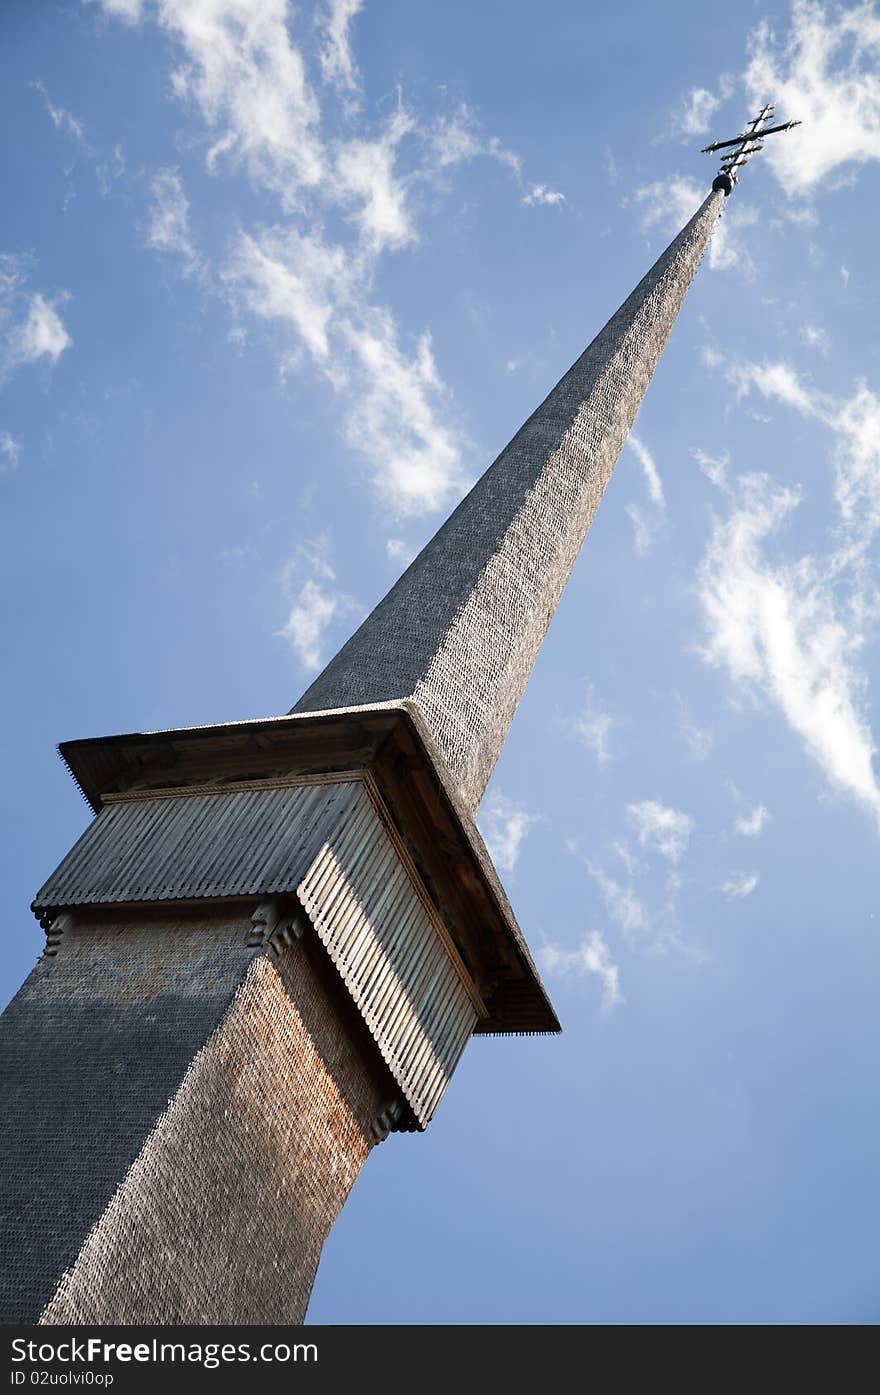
[{"x": 826, "y": 73}]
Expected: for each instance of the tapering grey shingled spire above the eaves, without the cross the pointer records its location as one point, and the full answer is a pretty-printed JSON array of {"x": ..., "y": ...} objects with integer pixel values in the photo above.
[{"x": 461, "y": 631}]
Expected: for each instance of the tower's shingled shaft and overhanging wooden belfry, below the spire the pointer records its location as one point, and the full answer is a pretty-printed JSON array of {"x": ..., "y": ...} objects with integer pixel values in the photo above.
[{"x": 267, "y": 951}]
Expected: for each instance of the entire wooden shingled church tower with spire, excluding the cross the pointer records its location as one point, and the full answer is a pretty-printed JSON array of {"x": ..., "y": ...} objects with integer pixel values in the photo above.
[{"x": 274, "y": 941}]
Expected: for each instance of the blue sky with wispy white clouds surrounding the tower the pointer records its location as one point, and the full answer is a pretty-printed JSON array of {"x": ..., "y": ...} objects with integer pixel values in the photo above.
[{"x": 278, "y": 281}]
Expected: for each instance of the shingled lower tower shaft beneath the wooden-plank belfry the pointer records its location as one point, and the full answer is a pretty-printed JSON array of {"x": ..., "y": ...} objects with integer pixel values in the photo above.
[{"x": 189, "y": 1117}]
